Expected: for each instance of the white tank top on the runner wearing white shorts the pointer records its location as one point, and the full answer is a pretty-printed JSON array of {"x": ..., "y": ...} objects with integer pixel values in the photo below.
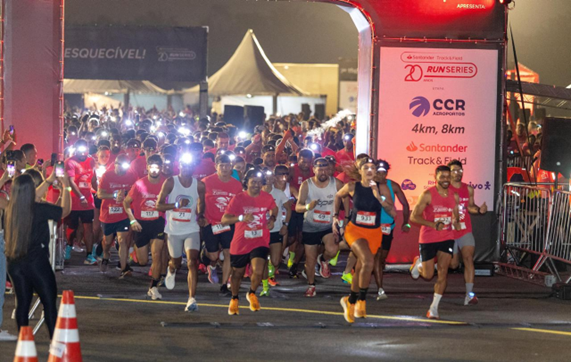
[{"x": 182, "y": 220}]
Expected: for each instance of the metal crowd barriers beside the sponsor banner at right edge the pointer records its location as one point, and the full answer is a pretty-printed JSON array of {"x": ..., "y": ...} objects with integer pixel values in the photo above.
[{"x": 535, "y": 232}]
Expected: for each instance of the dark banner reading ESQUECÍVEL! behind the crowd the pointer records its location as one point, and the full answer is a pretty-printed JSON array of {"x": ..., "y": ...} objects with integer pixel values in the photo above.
[{"x": 136, "y": 53}]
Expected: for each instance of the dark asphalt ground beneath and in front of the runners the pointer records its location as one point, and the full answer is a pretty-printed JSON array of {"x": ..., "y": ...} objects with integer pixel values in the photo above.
[{"x": 514, "y": 321}]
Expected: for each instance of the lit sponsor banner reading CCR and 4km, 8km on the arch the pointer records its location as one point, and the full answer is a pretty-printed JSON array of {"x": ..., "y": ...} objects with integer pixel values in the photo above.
[{"x": 437, "y": 105}]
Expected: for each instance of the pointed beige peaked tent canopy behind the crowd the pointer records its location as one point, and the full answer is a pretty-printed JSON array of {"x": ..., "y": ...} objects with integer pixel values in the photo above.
[{"x": 249, "y": 71}]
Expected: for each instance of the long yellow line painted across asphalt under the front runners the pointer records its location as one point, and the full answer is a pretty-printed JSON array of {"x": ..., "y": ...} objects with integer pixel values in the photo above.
[{"x": 401, "y": 318}]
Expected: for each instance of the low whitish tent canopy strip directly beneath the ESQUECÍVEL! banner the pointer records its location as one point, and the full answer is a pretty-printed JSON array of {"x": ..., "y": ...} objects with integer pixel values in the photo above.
[{"x": 112, "y": 86}]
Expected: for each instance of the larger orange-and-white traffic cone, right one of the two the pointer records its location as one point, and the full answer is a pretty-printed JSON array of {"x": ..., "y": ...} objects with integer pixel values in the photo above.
[{"x": 65, "y": 343}]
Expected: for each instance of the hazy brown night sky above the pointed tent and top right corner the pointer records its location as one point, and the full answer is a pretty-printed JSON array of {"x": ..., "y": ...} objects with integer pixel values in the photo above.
[{"x": 320, "y": 33}]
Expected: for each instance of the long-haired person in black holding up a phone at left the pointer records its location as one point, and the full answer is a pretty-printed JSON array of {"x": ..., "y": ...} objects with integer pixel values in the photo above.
[{"x": 27, "y": 240}]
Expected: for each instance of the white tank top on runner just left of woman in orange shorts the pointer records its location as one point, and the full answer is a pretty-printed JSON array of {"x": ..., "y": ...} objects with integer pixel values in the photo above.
[{"x": 321, "y": 217}]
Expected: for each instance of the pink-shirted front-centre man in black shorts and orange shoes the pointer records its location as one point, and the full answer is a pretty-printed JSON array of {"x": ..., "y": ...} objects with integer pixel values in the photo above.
[{"x": 250, "y": 244}]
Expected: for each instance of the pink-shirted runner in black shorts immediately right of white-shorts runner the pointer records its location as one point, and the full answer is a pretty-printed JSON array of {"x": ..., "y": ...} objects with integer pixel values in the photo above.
[{"x": 220, "y": 189}]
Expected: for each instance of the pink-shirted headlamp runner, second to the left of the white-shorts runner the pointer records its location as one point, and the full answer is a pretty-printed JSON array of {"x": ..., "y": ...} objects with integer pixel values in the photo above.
[{"x": 113, "y": 187}]
